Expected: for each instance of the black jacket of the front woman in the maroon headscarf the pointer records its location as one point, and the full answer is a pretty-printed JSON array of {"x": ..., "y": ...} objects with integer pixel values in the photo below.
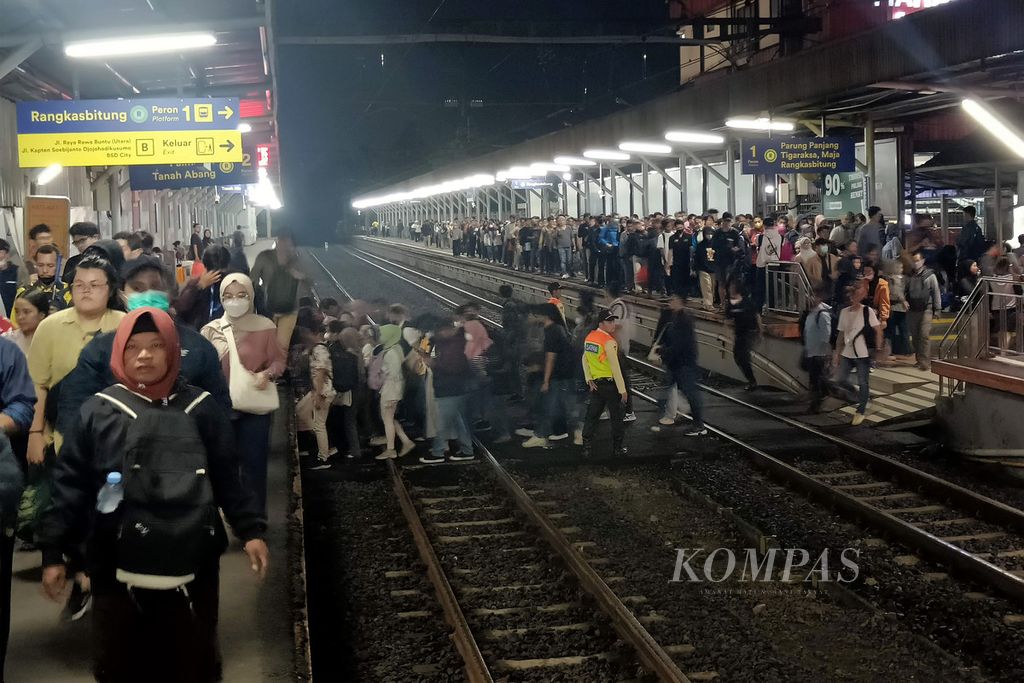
[{"x": 95, "y": 447}]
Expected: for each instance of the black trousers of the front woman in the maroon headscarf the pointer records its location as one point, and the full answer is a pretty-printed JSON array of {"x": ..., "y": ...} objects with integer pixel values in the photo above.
[{"x": 156, "y": 636}]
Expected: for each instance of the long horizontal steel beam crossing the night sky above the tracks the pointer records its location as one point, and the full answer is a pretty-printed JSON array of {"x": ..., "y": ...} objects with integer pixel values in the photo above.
[{"x": 405, "y": 39}]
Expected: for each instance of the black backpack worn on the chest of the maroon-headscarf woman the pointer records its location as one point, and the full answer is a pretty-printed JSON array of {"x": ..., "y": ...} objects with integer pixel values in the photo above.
[{"x": 169, "y": 525}]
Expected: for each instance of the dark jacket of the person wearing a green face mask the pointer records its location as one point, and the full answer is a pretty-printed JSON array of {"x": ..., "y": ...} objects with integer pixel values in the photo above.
[{"x": 200, "y": 367}]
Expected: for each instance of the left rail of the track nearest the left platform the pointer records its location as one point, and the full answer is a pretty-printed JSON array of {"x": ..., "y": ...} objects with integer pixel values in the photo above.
[{"x": 462, "y": 635}]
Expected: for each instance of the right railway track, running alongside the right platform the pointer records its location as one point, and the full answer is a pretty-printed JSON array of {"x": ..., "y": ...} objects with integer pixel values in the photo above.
[{"x": 978, "y": 538}]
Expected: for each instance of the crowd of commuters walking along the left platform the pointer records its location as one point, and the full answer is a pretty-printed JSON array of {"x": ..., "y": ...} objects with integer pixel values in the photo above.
[{"x": 135, "y": 417}]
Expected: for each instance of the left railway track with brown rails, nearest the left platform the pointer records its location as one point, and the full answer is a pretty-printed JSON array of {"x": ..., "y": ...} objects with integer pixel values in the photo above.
[{"x": 521, "y": 593}]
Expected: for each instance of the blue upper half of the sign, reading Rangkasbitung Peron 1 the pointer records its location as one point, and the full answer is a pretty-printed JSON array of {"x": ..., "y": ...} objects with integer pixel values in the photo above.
[{"x": 126, "y": 116}]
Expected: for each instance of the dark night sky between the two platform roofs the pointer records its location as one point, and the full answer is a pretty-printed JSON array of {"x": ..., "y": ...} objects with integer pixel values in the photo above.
[{"x": 350, "y": 124}]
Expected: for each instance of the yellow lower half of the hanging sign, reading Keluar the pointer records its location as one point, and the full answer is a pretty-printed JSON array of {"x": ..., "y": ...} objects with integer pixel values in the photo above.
[{"x": 129, "y": 149}]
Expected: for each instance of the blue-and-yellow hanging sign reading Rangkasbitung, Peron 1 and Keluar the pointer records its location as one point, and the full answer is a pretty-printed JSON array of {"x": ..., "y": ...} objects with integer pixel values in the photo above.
[{"x": 127, "y": 133}]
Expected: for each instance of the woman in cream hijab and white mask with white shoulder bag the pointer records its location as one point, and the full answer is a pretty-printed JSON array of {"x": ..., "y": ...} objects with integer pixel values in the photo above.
[{"x": 255, "y": 338}]
